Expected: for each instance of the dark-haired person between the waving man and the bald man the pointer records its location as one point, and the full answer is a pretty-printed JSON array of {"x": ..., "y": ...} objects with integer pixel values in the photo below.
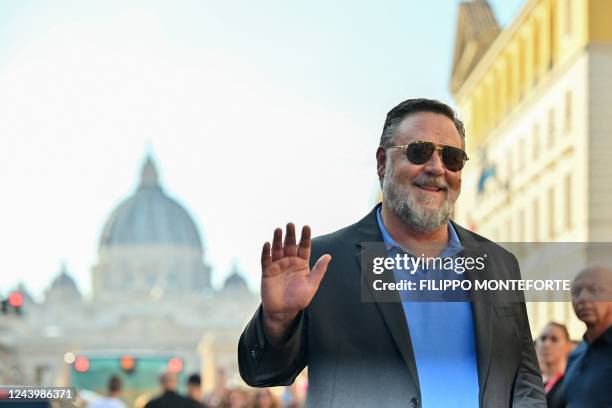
[{"x": 553, "y": 346}]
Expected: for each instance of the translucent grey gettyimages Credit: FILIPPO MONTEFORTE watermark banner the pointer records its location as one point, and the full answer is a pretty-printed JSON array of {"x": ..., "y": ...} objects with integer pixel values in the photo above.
[{"x": 487, "y": 271}]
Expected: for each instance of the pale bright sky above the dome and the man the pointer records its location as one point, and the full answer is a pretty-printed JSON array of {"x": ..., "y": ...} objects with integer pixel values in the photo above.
[{"x": 256, "y": 114}]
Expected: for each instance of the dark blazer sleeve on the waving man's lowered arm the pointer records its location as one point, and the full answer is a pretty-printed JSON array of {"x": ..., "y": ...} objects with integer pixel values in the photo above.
[{"x": 528, "y": 387}]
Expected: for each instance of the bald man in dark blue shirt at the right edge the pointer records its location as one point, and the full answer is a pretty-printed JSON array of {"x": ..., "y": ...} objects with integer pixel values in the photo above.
[{"x": 588, "y": 378}]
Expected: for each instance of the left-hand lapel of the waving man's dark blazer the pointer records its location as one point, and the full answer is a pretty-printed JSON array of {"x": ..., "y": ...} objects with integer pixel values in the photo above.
[{"x": 390, "y": 307}]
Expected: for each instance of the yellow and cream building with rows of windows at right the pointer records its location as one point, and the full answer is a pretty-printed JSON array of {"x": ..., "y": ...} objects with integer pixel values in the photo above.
[{"x": 537, "y": 107}]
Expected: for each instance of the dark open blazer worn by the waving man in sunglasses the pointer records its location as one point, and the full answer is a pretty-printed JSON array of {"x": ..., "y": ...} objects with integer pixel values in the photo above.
[{"x": 360, "y": 354}]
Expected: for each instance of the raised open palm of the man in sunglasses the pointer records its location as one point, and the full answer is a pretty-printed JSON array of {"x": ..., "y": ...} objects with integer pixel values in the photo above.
[{"x": 287, "y": 283}]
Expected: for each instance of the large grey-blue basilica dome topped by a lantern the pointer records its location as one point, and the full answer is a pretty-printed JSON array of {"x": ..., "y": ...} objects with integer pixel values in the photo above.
[{"x": 149, "y": 216}]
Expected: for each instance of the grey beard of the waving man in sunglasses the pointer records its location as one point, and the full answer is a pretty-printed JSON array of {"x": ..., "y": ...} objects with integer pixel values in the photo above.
[{"x": 405, "y": 206}]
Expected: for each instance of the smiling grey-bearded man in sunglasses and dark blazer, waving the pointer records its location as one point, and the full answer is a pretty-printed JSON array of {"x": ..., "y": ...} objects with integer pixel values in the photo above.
[{"x": 320, "y": 306}]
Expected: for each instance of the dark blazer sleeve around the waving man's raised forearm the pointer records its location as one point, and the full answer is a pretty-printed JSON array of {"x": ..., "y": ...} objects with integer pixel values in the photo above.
[{"x": 262, "y": 364}]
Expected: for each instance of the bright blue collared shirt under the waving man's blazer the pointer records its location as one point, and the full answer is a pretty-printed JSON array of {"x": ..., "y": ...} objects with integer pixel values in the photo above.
[{"x": 443, "y": 338}]
